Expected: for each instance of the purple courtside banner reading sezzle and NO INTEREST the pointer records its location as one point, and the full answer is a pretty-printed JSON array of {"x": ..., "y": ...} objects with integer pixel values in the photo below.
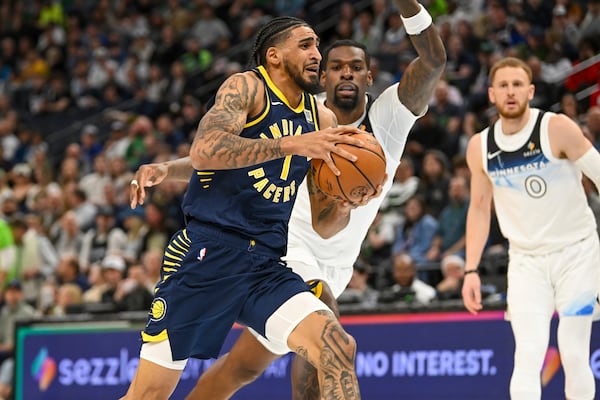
[{"x": 401, "y": 356}]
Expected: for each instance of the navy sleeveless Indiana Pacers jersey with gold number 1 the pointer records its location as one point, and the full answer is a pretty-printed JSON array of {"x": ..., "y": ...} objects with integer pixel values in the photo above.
[{"x": 256, "y": 201}]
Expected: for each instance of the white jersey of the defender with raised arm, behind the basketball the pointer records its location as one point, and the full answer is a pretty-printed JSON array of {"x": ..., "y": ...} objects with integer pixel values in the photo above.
[{"x": 331, "y": 260}]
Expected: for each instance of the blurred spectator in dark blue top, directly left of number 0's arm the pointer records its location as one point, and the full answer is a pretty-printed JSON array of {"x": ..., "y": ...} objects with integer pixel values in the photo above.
[{"x": 450, "y": 236}]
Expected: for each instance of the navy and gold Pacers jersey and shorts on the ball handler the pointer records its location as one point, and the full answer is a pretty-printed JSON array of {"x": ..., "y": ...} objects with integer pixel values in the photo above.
[{"x": 225, "y": 266}]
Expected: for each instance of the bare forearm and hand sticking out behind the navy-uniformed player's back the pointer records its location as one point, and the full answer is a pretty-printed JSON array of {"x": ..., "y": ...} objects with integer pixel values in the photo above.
[{"x": 152, "y": 174}]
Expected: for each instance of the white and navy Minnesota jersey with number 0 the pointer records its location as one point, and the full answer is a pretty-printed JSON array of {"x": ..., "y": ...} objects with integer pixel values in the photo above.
[{"x": 539, "y": 199}]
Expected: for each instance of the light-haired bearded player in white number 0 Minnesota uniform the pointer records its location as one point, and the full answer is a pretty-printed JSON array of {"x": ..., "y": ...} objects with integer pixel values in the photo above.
[{"x": 530, "y": 164}]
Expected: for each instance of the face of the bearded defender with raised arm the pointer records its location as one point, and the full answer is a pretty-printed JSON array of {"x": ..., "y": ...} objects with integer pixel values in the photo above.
[{"x": 346, "y": 77}]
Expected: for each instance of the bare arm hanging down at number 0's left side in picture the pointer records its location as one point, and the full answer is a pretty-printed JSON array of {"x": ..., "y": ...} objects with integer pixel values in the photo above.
[{"x": 478, "y": 225}]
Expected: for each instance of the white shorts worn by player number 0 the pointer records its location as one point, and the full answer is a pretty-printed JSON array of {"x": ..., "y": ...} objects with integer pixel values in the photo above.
[{"x": 566, "y": 280}]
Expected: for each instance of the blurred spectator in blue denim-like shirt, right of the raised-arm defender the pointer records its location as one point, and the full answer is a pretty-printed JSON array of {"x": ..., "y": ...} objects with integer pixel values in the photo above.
[{"x": 415, "y": 234}]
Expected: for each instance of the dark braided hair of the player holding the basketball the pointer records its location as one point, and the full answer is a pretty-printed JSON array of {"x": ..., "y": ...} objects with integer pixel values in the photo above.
[{"x": 272, "y": 33}]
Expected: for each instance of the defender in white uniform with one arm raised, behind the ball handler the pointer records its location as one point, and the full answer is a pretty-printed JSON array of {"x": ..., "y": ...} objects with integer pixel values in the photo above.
[{"x": 326, "y": 259}]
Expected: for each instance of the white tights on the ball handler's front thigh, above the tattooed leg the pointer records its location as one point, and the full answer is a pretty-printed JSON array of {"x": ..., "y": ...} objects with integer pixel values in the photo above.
[{"x": 283, "y": 321}]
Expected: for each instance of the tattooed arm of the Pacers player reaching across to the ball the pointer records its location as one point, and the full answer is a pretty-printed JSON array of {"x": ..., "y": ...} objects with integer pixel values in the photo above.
[{"x": 217, "y": 144}]
